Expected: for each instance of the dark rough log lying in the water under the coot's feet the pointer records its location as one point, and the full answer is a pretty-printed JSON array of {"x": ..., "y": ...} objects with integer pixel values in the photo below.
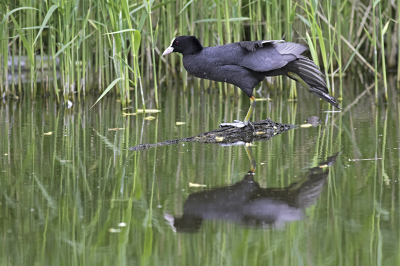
[{"x": 264, "y": 130}]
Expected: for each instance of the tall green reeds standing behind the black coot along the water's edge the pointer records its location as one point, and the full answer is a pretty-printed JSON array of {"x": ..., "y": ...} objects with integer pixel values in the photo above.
[{"x": 94, "y": 43}]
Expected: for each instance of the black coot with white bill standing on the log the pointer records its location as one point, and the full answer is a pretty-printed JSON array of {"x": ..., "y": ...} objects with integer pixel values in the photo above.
[{"x": 246, "y": 64}]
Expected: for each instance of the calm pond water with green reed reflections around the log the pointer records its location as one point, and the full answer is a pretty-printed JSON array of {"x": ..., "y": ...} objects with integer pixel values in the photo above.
[{"x": 73, "y": 194}]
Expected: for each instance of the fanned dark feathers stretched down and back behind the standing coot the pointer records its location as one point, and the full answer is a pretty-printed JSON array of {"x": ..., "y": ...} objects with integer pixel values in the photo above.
[{"x": 307, "y": 73}]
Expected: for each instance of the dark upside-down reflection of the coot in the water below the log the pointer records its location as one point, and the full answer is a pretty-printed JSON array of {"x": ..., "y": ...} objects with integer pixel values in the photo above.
[{"x": 245, "y": 202}]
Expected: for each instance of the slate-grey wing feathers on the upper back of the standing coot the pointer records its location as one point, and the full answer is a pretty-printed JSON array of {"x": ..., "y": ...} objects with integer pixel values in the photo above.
[{"x": 263, "y": 56}]
